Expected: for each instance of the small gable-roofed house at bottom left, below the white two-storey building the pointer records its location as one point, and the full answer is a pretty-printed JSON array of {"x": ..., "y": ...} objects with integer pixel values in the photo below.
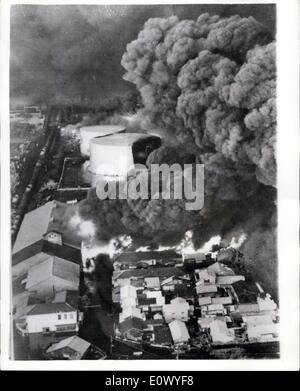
[{"x": 71, "y": 348}]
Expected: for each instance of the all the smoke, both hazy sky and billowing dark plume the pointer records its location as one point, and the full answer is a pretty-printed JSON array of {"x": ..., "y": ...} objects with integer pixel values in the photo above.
[{"x": 208, "y": 87}]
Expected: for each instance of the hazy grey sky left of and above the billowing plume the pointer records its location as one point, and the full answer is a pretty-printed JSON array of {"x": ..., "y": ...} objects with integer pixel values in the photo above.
[{"x": 71, "y": 53}]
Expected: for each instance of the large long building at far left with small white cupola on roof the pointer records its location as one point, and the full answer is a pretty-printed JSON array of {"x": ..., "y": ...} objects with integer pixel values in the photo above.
[{"x": 43, "y": 234}]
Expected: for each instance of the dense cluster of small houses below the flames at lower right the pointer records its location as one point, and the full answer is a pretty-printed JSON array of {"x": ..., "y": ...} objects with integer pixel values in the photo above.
[{"x": 193, "y": 300}]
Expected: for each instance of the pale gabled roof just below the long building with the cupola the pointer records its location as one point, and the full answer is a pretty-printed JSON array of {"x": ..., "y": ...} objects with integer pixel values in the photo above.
[{"x": 53, "y": 267}]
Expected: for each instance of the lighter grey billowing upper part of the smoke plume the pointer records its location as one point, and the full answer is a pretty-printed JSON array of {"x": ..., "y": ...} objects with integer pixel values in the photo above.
[{"x": 211, "y": 83}]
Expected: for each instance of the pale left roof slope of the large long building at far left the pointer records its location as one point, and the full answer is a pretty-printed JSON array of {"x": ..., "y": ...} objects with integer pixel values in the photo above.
[{"x": 34, "y": 226}]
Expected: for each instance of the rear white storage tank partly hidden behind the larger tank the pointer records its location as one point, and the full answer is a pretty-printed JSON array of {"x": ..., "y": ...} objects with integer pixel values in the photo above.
[{"x": 89, "y": 132}]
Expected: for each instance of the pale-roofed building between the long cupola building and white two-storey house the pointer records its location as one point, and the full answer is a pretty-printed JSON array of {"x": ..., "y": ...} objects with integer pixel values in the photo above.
[{"x": 51, "y": 276}]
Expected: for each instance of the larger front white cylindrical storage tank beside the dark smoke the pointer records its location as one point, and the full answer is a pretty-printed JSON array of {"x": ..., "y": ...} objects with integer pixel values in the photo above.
[{"x": 113, "y": 156}]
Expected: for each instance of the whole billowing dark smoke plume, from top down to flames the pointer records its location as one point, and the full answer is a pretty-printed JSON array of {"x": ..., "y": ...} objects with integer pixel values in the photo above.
[{"x": 209, "y": 87}]
